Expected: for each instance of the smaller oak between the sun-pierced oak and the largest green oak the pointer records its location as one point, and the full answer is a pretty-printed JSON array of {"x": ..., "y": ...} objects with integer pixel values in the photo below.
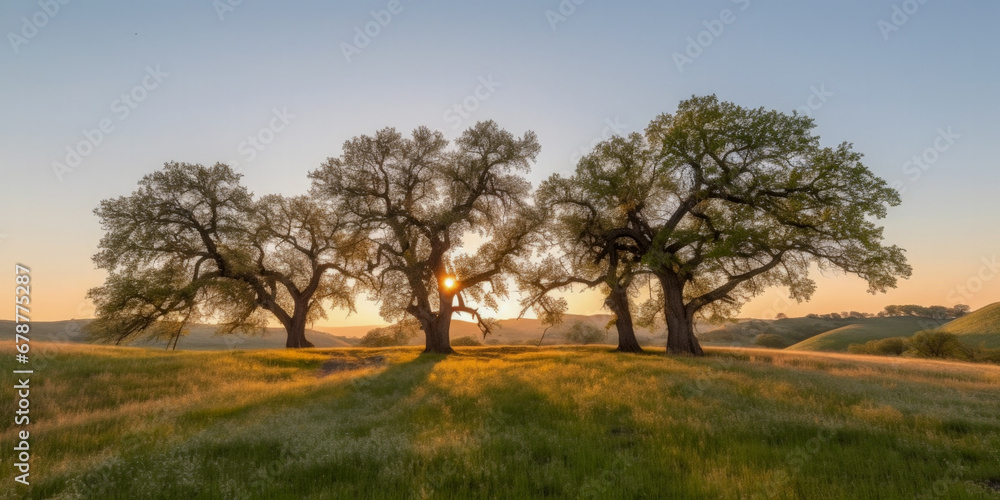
[{"x": 584, "y": 212}]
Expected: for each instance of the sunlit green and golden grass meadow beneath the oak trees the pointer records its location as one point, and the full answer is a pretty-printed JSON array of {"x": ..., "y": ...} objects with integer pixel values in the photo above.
[{"x": 503, "y": 422}]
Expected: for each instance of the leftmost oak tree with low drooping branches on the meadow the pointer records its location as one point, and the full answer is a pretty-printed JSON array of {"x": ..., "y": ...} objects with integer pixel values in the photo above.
[{"x": 191, "y": 243}]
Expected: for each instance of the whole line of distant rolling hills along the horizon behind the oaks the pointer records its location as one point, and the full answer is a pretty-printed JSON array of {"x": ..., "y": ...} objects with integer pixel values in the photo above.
[{"x": 799, "y": 334}]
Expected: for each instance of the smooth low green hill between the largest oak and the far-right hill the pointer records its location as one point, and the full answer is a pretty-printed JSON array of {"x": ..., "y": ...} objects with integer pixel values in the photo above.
[{"x": 863, "y": 330}]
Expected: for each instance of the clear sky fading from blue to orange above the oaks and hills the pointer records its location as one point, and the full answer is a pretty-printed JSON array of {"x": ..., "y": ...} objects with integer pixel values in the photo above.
[{"x": 192, "y": 80}]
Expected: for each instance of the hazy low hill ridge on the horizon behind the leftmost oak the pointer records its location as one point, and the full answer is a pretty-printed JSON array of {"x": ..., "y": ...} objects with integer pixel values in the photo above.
[{"x": 201, "y": 338}]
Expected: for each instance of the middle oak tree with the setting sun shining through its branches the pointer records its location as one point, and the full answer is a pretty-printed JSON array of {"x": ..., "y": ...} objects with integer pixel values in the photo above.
[{"x": 447, "y": 223}]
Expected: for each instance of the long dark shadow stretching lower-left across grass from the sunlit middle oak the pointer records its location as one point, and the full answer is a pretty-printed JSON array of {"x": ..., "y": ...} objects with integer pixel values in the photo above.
[{"x": 253, "y": 448}]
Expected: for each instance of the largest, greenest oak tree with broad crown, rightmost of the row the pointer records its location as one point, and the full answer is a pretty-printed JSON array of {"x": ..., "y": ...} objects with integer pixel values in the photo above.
[{"x": 740, "y": 200}]
